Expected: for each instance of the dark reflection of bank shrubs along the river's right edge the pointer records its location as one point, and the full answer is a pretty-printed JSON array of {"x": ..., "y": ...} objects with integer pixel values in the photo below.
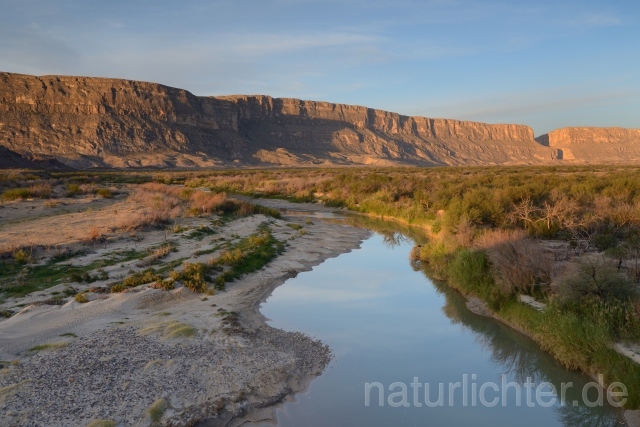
[{"x": 520, "y": 356}]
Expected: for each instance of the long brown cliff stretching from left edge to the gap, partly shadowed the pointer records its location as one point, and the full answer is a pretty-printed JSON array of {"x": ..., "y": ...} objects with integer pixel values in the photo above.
[{"x": 86, "y": 122}]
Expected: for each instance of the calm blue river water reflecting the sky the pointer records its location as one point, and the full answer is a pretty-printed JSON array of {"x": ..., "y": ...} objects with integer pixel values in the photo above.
[{"x": 387, "y": 323}]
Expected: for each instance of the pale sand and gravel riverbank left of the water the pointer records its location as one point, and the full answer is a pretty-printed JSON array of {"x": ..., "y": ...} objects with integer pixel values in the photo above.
[{"x": 149, "y": 356}]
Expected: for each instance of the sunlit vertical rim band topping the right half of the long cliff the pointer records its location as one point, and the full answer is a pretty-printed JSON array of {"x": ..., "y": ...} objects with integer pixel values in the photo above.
[{"x": 261, "y": 107}]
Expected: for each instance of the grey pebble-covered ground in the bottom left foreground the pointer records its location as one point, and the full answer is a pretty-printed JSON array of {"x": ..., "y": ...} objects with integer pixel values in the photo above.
[{"x": 120, "y": 372}]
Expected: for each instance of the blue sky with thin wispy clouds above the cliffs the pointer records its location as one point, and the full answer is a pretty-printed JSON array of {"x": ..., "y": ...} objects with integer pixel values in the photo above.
[{"x": 547, "y": 64}]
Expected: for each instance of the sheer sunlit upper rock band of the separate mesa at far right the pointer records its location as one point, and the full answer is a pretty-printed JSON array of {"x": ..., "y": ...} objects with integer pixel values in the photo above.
[{"x": 587, "y": 135}]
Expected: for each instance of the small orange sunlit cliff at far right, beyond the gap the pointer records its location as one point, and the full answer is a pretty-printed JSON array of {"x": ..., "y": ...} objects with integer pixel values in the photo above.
[{"x": 594, "y": 145}]
